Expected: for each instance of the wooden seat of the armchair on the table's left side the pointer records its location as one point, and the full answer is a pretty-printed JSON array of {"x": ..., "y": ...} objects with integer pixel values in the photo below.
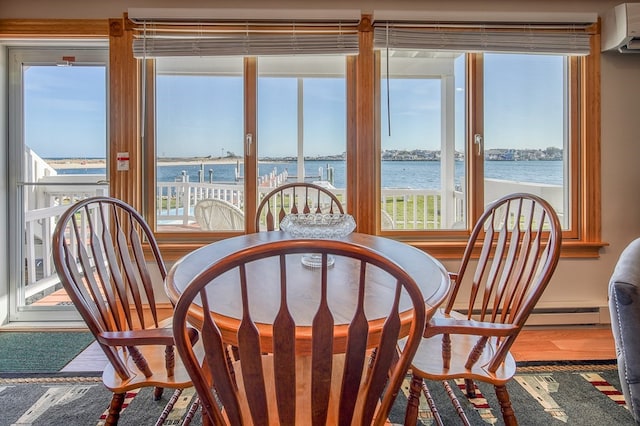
[{"x": 155, "y": 356}]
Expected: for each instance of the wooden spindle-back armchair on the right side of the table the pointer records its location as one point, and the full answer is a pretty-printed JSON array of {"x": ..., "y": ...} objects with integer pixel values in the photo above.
[{"x": 517, "y": 241}]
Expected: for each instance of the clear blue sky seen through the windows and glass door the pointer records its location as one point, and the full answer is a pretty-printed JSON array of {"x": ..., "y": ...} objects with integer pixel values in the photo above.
[{"x": 202, "y": 115}]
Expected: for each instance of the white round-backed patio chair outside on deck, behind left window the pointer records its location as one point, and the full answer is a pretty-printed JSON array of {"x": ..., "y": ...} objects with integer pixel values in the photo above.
[{"x": 213, "y": 214}]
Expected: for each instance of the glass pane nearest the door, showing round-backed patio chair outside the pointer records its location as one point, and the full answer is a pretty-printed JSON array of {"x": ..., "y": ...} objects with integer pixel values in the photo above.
[{"x": 199, "y": 144}]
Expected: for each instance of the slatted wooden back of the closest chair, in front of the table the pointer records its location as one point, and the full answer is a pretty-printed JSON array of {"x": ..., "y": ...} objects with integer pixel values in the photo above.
[{"x": 335, "y": 380}]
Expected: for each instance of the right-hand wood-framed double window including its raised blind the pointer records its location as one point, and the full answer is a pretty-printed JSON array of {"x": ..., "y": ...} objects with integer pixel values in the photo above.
[{"x": 459, "y": 128}]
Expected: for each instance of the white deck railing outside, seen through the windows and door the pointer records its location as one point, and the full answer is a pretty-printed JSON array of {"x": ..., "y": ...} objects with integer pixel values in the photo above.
[{"x": 403, "y": 208}]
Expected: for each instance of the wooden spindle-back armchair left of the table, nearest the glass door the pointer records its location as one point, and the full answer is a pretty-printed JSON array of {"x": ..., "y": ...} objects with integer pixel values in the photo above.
[{"x": 110, "y": 266}]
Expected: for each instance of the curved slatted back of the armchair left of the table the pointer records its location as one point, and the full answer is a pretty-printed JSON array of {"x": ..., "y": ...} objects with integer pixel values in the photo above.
[{"x": 100, "y": 247}]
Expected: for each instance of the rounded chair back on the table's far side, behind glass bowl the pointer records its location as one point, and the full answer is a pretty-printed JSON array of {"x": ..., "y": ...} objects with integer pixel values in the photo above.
[{"x": 296, "y": 197}]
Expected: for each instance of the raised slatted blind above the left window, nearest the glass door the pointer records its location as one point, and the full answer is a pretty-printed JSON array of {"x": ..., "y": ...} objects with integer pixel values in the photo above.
[{"x": 208, "y": 37}]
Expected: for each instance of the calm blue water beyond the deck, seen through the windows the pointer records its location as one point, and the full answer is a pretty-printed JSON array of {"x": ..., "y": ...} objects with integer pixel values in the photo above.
[{"x": 395, "y": 174}]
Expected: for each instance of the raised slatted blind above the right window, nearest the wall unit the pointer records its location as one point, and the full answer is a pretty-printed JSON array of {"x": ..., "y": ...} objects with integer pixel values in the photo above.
[{"x": 570, "y": 39}]
